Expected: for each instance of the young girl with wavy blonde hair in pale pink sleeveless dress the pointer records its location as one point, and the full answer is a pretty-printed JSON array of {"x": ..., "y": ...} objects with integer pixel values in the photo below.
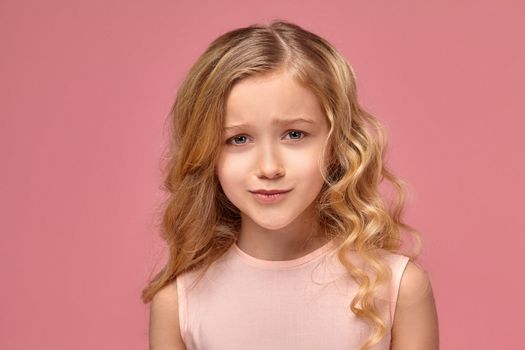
[{"x": 278, "y": 235}]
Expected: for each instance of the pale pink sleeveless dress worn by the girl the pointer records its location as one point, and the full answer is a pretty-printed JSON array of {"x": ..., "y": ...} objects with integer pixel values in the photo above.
[{"x": 243, "y": 302}]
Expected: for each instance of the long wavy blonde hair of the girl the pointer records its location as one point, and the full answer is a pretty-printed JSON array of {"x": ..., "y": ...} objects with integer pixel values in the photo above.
[{"x": 199, "y": 223}]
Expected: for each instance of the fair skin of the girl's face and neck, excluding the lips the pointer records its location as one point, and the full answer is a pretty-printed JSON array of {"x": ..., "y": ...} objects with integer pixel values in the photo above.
[{"x": 264, "y": 155}]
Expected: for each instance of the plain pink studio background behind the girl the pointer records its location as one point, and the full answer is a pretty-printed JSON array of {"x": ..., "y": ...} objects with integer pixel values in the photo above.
[{"x": 85, "y": 89}]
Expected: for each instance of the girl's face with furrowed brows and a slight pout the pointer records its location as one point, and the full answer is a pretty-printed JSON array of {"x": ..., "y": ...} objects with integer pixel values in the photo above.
[{"x": 272, "y": 140}]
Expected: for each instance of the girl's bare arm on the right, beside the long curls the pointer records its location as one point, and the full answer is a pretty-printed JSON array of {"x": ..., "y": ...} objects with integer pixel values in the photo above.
[{"x": 415, "y": 325}]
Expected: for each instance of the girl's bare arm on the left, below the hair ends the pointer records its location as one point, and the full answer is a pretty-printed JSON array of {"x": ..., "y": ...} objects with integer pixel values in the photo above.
[{"x": 164, "y": 331}]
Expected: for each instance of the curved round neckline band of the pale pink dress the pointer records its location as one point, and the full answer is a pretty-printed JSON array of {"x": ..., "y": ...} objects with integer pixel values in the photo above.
[{"x": 284, "y": 264}]
